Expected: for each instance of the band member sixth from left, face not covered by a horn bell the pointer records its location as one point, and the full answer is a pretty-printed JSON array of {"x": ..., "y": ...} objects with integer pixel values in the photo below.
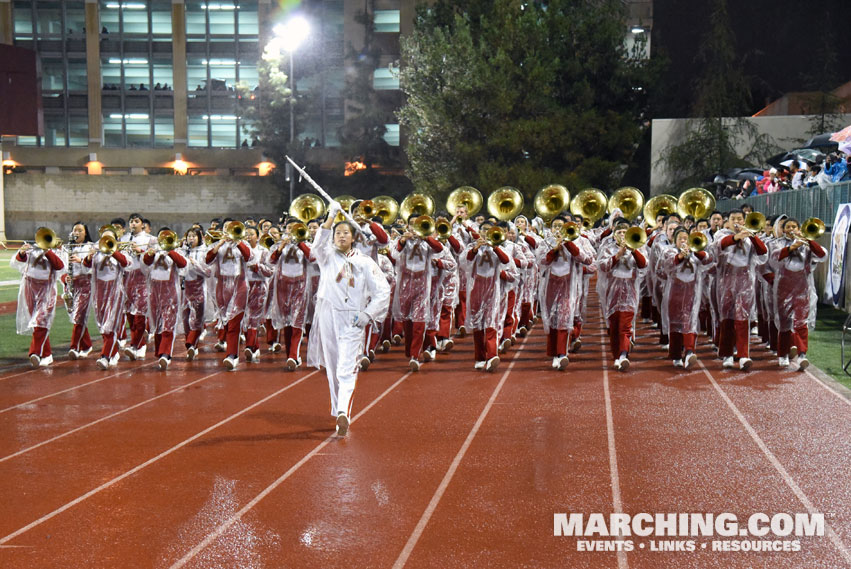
[{"x": 196, "y": 274}]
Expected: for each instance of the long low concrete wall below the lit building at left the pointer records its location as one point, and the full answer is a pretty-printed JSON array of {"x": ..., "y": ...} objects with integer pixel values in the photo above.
[{"x": 56, "y": 201}]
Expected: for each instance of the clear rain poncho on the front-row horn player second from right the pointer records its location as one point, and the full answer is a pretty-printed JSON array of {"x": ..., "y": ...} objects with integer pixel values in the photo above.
[{"x": 735, "y": 275}]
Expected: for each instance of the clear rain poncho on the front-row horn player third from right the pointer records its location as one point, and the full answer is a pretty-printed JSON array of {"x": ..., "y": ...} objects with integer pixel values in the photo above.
[{"x": 683, "y": 290}]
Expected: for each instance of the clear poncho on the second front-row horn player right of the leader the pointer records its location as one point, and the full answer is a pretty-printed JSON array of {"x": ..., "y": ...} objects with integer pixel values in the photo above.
[{"x": 485, "y": 289}]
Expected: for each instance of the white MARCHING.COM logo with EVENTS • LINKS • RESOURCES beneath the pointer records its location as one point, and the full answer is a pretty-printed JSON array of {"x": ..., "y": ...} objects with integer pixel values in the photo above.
[{"x": 619, "y": 527}]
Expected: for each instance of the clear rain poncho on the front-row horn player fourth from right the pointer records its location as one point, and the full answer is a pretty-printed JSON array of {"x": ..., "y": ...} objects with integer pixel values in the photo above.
[{"x": 621, "y": 292}]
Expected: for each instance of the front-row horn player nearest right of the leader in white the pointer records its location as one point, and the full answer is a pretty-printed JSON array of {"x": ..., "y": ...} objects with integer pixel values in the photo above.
[{"x": 412, "y": 296}]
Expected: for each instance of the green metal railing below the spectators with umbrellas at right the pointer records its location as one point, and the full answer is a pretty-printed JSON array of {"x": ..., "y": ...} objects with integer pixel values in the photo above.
[{"x": 800, "y": 204}]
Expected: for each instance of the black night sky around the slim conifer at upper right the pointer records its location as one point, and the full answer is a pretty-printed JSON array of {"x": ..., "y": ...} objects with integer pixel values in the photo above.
[{"x": 777, "y": 42}]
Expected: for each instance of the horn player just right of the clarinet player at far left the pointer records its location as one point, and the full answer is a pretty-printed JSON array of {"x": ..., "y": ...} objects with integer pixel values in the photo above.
[{"x": 108, "y": 294}]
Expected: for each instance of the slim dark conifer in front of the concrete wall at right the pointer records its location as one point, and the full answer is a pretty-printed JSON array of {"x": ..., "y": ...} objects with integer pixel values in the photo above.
[{"x": 710, "y": 142}]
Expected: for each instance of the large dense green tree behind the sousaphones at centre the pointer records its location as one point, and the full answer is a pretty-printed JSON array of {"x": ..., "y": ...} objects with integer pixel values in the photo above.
[{"x": 518, "y": 93}]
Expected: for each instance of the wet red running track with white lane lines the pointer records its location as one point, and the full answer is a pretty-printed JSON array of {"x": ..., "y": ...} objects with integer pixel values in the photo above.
[{"x": 448, "y": 467}]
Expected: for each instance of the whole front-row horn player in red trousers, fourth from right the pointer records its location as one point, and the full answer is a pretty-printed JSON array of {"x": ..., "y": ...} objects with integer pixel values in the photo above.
[{"x": 621, "y": 268}]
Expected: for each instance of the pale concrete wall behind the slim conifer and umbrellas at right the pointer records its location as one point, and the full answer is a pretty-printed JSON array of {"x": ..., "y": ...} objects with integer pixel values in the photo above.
[{"x": 788, "y": 132}]
